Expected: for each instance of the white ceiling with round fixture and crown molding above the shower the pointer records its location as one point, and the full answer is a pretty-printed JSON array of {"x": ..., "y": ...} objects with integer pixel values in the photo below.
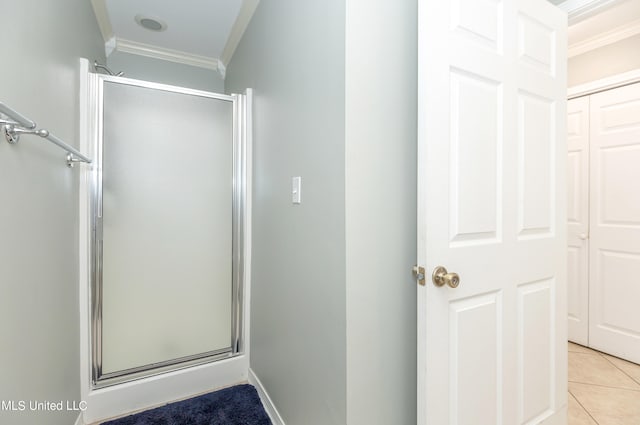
[{"x": 199, "y": 32}]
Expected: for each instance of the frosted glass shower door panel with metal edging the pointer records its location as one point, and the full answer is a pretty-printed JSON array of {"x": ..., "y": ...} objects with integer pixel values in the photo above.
[{"x": 166, "y": 267}]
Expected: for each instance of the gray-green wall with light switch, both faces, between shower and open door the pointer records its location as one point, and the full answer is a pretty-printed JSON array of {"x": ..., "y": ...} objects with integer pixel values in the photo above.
[{"x": 333, "y": 312}]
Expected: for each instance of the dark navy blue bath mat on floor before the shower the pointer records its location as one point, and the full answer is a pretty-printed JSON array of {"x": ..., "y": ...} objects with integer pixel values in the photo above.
[{"x": 239, "y": 405}]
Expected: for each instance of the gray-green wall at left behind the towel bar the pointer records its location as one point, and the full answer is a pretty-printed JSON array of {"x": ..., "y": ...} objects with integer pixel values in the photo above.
[{"x": 39, "y": 358}]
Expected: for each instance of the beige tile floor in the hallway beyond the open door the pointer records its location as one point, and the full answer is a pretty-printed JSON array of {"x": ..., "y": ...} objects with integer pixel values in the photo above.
[{"x": 603, "y": 390}]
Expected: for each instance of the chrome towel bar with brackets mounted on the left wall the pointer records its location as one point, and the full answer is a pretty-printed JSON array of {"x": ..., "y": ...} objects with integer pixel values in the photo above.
[{"x": 17, "y": 124}]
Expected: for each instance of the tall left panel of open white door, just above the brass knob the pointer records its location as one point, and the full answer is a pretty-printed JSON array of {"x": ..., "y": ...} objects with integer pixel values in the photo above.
[{"x": 476, "y": 105}]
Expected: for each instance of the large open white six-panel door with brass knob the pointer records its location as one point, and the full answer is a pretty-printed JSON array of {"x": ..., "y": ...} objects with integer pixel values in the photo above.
[{"x": 491, "y": 207}]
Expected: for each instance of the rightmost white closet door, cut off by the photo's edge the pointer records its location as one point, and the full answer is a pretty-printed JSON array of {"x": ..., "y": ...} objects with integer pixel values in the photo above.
[{"x": 614, "y": 324}]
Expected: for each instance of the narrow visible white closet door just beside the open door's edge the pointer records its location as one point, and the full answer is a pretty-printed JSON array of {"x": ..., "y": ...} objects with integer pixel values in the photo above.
[{"x": 578, "y": 219}]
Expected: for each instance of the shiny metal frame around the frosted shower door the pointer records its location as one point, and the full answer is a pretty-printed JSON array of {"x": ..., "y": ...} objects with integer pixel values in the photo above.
[{"x": 236, "y": 346}]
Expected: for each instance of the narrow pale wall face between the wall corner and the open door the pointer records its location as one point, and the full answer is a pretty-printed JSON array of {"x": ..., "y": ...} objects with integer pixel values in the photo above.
[{"x": 381, "y": 187}]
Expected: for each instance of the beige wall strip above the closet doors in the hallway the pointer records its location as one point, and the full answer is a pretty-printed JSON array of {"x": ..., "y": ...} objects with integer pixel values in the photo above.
[{"x": 606, "y": 61}]
